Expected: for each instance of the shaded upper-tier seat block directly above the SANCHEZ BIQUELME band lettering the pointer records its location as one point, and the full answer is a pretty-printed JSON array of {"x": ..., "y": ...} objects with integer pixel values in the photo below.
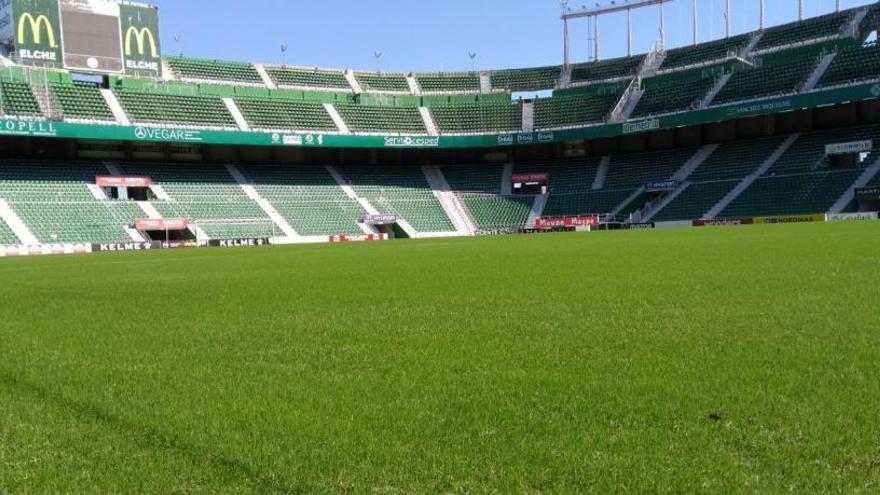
[{"x": 781, "y": 75}]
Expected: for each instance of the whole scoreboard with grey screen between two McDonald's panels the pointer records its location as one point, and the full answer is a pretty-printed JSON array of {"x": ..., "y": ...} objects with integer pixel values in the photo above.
[{"x": 94, "y": 36}]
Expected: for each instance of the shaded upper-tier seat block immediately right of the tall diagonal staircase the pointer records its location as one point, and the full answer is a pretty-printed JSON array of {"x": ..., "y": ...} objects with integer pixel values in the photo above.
[{"x": 674, "y": 92}]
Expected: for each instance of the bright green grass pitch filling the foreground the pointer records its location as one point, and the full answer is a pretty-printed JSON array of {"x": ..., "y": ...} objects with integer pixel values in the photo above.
[{"x": 698, "y": 360}]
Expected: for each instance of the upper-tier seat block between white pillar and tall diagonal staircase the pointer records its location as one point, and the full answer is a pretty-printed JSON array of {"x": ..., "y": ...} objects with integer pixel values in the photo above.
[{"x": 571, "y": 109}]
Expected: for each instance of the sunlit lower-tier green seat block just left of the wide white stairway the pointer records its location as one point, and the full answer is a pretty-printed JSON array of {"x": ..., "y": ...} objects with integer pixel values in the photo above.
[{"x": 400, "y": 191}]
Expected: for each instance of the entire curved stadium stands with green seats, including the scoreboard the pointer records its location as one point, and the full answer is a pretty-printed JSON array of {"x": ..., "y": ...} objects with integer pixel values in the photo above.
[{"x": 113, "y": 145}]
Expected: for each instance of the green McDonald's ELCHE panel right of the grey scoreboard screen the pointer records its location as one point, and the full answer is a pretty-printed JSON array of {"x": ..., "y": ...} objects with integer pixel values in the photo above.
[{"x": 140, "y": 40}]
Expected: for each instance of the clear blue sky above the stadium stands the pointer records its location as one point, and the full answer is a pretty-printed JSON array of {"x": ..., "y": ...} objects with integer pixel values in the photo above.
[{"x": 430, "y": 35}]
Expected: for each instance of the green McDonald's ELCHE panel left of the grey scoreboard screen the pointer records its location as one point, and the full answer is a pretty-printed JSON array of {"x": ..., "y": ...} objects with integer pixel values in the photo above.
[{"x": 37, "y": 32}]
